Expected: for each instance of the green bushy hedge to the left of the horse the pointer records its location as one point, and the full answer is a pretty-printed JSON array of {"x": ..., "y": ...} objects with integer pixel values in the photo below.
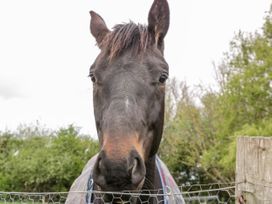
[{"x": 37, "y": 160}]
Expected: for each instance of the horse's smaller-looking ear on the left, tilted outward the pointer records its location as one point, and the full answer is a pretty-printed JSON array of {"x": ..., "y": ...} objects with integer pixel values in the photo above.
[{"x": 98, "y": 27}]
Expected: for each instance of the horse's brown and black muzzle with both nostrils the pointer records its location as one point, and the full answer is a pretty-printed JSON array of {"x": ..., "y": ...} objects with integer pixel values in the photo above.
[{"x": 119, "y": 167}]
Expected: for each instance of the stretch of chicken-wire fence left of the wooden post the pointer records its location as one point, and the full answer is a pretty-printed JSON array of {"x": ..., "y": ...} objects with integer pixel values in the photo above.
[{"x": 193, "y": 194}]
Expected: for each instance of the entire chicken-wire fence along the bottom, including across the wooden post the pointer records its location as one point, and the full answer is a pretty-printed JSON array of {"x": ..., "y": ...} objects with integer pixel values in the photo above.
[{"x": 216, "y": 193}]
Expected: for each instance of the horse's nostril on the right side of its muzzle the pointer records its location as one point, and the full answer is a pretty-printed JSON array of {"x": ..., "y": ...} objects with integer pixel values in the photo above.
[{"x": 138, "y": 171}]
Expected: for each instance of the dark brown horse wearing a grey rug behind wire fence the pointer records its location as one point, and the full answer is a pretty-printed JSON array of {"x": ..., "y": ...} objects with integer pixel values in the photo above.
[{"x": 128, "y": 77}]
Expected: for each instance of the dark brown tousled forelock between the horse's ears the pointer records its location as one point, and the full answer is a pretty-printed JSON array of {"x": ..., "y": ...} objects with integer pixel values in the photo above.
[{"x": 125, "y": 36}]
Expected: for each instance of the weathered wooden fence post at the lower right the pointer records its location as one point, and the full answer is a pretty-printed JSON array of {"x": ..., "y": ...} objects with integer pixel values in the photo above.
[{"x": 254, "y": 170}]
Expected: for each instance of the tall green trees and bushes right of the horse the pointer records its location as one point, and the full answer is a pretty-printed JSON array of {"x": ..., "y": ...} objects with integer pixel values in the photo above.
[{"x": 202, "y": 126}]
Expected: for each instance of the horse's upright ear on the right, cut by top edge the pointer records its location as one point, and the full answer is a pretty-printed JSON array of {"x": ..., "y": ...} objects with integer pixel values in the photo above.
[{"x": 158, "y": 21}]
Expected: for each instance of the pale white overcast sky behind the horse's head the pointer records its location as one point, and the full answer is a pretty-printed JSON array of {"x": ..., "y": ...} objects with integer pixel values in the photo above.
[{"x": 46, "y": 51}]
